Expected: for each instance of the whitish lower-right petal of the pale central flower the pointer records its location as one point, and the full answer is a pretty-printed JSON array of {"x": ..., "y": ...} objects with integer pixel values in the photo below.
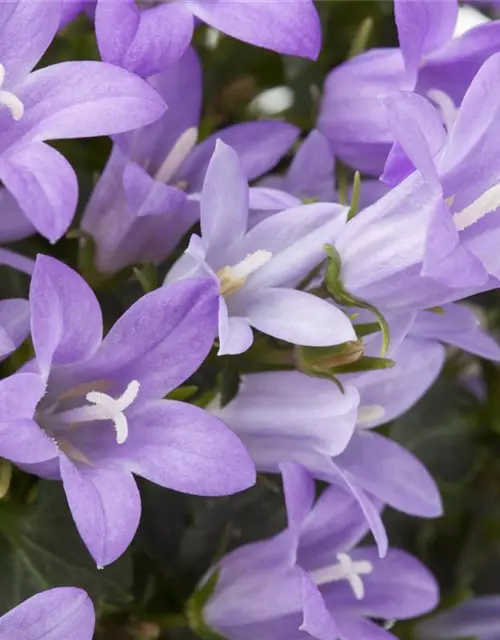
[{"x": 297, "y": 317}]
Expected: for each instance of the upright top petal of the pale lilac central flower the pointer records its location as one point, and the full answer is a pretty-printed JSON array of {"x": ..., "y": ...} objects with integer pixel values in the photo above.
[{"x": 224, "y": 201}]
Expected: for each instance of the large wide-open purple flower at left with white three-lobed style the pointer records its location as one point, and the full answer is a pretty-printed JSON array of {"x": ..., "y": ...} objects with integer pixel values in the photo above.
[{"x": 90, "y": 411}]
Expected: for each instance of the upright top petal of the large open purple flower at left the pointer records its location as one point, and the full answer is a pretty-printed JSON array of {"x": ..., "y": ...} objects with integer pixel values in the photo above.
[{"x": 66, "y": 320}]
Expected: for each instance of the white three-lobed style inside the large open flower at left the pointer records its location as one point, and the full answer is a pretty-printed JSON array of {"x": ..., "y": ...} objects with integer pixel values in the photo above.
[{"x": 101, "y": 407}]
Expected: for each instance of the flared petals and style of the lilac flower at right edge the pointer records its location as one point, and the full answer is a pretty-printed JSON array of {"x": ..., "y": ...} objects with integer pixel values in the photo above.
[{"x": 460, "y": 172}]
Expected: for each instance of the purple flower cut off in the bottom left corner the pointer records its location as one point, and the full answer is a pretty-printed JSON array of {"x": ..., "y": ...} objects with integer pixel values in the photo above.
[{"x": 58, "y": 614}]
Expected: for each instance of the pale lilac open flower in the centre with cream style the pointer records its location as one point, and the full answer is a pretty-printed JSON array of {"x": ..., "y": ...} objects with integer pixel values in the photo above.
[{"x": 257, "y": 269}]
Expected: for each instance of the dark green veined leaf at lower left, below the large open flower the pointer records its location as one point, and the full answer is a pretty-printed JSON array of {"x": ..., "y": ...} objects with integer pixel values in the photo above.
[{"x": 40, "y": 548}]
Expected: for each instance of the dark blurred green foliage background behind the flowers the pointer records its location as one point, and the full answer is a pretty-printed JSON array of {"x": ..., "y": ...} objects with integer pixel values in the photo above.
[{"x": 142, "y": 596}]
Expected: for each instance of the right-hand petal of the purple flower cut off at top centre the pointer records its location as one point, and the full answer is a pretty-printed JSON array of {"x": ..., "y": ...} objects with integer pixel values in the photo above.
[{"x": 292, "y": 28}]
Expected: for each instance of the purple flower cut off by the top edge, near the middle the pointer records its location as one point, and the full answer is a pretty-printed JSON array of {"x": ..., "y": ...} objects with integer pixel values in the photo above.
[{"x": 150, "y": 37}]
